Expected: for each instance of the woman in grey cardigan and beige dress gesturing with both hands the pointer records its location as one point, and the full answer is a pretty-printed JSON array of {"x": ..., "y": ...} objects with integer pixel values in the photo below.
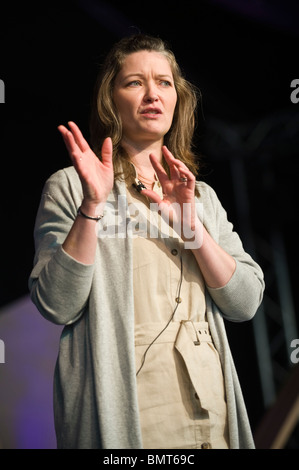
[{"x": 140, "y": 264}]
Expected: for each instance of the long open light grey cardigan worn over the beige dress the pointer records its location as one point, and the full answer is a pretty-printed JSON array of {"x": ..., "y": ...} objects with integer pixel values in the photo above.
[{"x": 95, "y": 397}]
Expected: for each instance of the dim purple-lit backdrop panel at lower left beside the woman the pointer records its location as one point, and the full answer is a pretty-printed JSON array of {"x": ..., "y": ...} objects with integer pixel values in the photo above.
[{"x": 29, "y": 347}]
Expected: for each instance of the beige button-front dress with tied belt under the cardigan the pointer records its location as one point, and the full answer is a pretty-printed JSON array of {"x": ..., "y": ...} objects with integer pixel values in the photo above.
[{"x": 179, "y": 377}]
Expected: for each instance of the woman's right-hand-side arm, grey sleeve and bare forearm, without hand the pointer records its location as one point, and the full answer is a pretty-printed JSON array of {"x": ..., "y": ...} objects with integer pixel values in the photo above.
[{"x": 238, "y": 287}]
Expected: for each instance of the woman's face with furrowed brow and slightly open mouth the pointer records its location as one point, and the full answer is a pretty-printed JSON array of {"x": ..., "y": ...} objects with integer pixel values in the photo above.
[{"x": 145, "y": 96}]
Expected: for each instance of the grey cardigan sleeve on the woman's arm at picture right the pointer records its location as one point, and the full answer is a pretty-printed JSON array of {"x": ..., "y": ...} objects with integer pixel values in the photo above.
[{"x": 240, "y": 298}]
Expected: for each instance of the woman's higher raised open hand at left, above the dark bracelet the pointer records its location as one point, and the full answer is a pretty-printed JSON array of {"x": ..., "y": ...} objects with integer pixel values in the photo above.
[{"x": 96, "y": 175}]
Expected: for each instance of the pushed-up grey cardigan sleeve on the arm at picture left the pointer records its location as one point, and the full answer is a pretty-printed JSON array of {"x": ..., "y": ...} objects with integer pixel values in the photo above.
[{"x": 59, "y": 285}]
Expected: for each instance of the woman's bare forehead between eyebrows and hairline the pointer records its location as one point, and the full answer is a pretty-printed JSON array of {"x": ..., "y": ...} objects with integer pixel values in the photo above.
[{"x": 143, "y": 61}]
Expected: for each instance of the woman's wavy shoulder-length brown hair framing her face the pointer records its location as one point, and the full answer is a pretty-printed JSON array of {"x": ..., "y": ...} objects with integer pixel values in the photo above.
[{"x": 105, "y": 120}]
